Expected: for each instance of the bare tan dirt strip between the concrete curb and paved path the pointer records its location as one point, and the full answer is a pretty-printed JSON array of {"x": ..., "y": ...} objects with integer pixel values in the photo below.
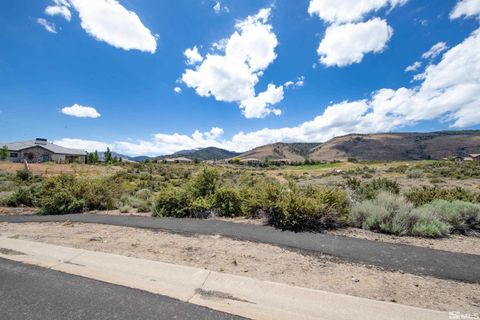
[{"x": 259, "y": 261}]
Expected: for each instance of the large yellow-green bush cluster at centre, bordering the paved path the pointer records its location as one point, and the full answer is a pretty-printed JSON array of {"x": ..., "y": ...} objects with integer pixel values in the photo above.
[{"x": 287, "y": 207}]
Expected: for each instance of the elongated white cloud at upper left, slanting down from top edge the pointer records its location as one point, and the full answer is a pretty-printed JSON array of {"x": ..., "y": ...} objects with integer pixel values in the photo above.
[{"x": 108, "y": 21}]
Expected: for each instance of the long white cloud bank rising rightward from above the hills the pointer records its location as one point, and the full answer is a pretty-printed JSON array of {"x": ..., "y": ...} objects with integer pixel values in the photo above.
[{"x": 448, "y": 92}]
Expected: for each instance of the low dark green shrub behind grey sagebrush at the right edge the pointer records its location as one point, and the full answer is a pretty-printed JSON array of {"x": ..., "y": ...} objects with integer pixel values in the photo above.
[{"x": 425, "y": 194}]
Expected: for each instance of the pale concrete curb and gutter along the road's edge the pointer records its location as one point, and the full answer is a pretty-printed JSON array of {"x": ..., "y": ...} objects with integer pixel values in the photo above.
[{"x": 229, "y": 293}]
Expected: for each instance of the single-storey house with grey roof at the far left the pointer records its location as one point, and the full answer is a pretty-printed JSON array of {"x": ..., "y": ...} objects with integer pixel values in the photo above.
[{"x": 40, "y": 150}]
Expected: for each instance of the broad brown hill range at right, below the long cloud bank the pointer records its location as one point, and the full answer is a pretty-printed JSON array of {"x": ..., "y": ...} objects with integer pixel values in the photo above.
[{"x": 383, "y": 146}]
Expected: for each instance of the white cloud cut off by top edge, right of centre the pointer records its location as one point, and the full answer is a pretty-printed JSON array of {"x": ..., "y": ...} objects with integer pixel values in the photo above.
[{"x": 341, "y": 11}]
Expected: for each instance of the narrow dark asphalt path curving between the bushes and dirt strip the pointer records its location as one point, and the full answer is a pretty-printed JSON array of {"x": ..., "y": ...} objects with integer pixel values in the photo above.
[{"x": 411, "y": 259}]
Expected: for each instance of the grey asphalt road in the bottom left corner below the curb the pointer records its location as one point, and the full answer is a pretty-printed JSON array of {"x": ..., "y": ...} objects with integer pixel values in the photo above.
[{"x": 29, "y": 292}]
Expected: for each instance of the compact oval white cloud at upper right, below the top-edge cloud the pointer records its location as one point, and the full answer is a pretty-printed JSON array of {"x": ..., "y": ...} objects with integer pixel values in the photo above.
[{"x": 346, "y": 44}]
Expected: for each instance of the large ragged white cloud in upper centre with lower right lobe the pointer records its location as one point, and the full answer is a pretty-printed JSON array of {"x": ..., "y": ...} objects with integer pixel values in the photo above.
[{"x": 232, "y": 74}]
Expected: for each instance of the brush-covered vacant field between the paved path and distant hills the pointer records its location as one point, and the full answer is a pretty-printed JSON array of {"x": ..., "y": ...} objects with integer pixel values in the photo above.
[{"x": 430, "y": 199}]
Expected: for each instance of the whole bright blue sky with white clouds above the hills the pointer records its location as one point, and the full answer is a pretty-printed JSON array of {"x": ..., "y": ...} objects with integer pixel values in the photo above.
[{"x": 97, "y": 73}]
